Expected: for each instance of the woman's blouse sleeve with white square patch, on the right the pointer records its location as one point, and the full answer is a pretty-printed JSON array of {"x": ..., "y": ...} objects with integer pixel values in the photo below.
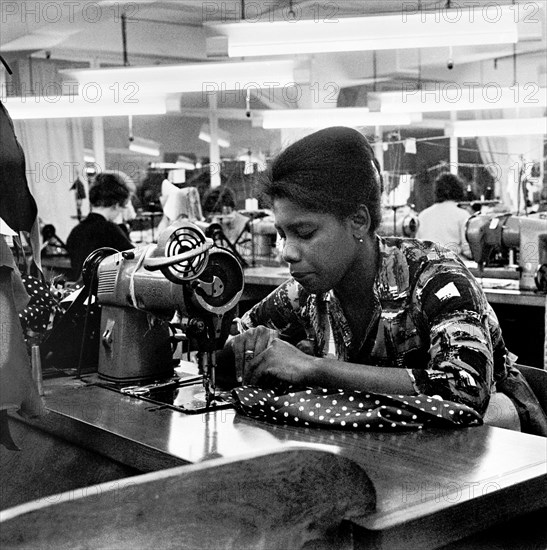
[{"x": 451, "y": 307}]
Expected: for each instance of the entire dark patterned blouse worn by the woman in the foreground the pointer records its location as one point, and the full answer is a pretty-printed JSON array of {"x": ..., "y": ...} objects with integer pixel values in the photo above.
[{"x": 430, "y": 317}]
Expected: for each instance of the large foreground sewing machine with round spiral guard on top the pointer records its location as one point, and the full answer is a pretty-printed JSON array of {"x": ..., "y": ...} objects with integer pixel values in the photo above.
[{"x": 142, "y": 290}]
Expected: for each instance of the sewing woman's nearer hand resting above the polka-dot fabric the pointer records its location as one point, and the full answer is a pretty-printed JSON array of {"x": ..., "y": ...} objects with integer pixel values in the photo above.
[{"x": 280, "y": 361}]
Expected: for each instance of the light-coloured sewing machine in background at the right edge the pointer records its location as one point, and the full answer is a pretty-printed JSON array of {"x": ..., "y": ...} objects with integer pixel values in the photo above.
[{"x": 508, "y": 241}]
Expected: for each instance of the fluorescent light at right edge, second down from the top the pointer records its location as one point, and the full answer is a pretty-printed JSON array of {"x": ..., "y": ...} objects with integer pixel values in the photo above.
[{"x": 456, "y": 97}]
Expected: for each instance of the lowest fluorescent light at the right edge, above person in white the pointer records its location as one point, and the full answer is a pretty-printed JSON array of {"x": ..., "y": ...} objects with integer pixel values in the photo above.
[{"x": 497, "y": 127}]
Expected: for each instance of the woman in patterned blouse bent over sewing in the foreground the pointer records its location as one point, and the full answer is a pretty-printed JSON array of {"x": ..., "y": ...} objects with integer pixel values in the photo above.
[{"x": 361, "y": 312}]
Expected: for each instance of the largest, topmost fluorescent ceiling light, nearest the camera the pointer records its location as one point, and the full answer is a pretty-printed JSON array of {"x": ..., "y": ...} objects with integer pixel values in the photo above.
[{"x": 411, "y": 28}]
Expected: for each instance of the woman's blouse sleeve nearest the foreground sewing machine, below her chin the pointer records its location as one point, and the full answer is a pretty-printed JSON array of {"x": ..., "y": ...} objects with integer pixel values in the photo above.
[{"x": 280, "y": 310}]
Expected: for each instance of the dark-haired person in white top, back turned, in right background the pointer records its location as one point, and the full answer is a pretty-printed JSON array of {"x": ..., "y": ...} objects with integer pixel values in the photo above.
[{"x": 444, "y": 222}]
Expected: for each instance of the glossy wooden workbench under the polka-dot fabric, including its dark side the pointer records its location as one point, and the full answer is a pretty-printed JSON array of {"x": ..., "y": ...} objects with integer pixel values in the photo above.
[{"x": 432, "y": 486}]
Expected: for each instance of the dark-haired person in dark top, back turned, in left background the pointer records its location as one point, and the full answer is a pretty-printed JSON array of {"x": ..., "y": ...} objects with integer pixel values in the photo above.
[{"x": 108, "y": 197}]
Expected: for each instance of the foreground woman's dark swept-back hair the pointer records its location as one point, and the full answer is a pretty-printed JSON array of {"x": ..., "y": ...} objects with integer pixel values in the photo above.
[{"x": 331, "y": 171}]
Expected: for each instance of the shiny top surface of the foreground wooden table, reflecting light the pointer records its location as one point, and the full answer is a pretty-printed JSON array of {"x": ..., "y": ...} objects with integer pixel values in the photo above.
[{"x": 415, "y": 473}]
